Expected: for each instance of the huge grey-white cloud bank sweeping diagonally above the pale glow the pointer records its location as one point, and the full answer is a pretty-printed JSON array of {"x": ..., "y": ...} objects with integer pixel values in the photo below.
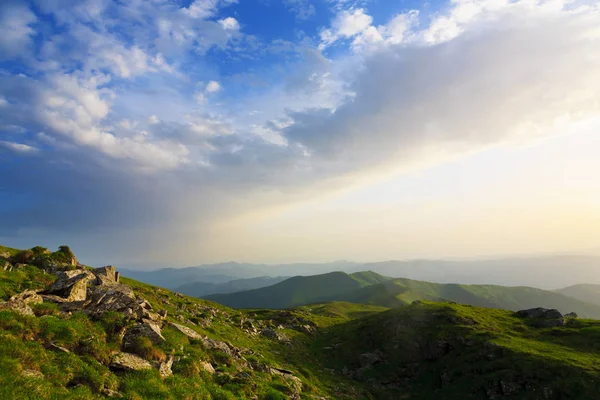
[{"x": 126, "y": 155}]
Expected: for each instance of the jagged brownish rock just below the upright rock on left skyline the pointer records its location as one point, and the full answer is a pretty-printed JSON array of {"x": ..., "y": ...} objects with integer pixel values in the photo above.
[{"x": 116, "y": 297}]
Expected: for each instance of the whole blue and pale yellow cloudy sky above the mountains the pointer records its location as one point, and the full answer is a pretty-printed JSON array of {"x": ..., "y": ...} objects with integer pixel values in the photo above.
[{"x": 164, "y": 132}]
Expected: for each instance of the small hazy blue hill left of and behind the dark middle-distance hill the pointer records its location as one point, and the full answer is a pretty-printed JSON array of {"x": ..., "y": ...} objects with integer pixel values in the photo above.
[{"x": 200, "y": 289}]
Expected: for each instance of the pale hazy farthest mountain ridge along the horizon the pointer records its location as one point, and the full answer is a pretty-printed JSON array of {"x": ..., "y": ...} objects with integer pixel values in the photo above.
[{"x": 549, "y": 272}]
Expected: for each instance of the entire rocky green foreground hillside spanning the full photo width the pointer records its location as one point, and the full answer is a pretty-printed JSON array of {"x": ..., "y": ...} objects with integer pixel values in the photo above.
[{"x": 68, "y": 331}]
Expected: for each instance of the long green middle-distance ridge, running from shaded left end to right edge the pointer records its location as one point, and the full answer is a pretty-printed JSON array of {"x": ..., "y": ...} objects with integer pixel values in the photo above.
[{"x": 399, "y": 292}]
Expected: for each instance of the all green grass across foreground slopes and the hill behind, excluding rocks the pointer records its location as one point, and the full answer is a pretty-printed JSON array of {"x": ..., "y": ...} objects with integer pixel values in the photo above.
[{"x": 431, "y": 350}]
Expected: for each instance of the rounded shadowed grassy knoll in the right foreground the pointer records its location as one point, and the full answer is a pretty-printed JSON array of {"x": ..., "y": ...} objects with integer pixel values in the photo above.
[{"x": 487, "y": 348}]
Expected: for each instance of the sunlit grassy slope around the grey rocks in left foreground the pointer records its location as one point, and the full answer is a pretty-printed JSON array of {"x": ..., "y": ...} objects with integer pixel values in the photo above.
[{"x": 82, "y": 373}]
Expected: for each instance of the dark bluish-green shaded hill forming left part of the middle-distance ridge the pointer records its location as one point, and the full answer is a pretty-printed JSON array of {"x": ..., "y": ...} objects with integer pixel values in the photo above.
[{"x": 301, "y": 290}]
